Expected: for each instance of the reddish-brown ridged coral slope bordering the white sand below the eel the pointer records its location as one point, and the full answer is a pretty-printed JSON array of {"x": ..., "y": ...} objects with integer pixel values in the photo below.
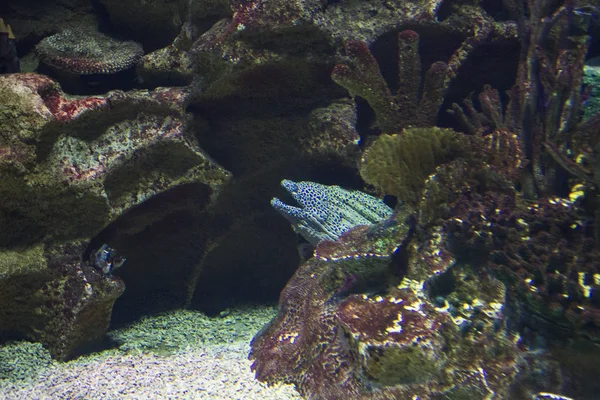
[{"x": 302, "y": 344}]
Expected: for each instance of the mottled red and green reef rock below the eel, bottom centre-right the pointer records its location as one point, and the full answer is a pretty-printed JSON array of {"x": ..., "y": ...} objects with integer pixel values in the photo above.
[{"x": 335, "y": 344}]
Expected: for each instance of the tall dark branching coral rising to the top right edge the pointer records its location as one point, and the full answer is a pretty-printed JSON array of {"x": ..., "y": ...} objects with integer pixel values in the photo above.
[{"x": 546, "y": 100}]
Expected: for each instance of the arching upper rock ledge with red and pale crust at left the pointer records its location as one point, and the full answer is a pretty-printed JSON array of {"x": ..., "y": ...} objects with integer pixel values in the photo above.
[{"x": 95, "y": 157}]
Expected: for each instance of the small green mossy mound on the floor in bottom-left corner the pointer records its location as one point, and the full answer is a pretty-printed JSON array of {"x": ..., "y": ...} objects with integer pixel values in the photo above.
[{"x": 21, "y": 361}]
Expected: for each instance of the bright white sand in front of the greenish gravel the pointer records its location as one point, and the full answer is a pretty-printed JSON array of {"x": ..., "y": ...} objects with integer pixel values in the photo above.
[{"x": 220, "y": 372}]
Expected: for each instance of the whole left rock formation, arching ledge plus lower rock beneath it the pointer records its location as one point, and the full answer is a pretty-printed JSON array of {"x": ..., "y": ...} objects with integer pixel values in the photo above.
[{"x": 72, "y": 167}]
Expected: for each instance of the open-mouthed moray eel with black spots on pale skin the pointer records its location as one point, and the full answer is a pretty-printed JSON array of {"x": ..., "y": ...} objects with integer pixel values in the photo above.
[{"x": 326, "y": 212}]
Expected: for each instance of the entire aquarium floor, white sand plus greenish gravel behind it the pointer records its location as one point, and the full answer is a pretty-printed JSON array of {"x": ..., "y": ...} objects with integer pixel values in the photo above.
[{"x": 177, "y": 355}]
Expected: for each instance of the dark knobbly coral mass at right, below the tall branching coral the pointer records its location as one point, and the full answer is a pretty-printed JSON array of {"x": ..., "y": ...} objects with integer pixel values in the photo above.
[{"x": 540, "y": 249}]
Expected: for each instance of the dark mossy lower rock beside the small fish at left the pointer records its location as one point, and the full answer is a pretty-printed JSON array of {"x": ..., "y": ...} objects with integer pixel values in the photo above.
[{"x": 49, "y": 295}]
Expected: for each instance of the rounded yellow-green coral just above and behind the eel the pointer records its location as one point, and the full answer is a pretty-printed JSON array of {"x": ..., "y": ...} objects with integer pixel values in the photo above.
[{"x": 399, "y": 164}]
